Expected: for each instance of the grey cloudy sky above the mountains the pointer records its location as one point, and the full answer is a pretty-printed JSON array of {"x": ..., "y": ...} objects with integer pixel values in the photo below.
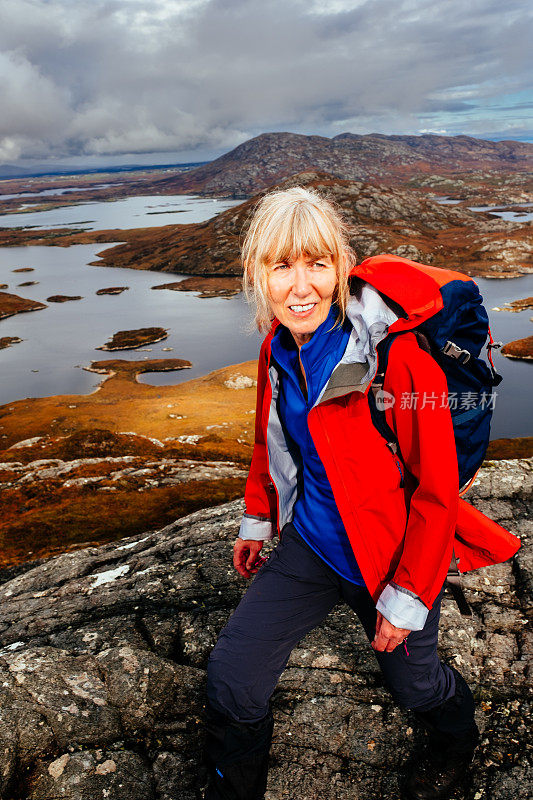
[{"x": 158, "y": 81}]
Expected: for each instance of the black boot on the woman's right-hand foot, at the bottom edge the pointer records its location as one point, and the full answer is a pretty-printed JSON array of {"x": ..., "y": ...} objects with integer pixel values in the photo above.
[{"x": 435, "y": 777}]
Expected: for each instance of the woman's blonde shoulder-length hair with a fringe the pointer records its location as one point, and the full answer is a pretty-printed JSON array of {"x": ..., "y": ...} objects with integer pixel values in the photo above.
[{"x": 286, "y": 224}]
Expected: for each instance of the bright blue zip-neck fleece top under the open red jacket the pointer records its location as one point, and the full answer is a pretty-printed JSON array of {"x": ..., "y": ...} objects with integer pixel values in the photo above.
[{"x": 316, "y": 517}]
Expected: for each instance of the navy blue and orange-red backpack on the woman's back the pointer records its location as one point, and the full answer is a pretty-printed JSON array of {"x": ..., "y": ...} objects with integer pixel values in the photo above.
[{"x": 454, "y": 336}]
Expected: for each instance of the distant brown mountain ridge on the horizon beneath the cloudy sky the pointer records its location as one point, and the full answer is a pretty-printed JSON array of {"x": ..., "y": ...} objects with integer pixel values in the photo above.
[{"x": 270, "y": 157}]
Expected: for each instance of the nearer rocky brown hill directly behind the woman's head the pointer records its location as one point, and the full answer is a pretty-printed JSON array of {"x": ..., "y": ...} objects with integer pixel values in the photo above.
[{"x": 383, "y": 219}]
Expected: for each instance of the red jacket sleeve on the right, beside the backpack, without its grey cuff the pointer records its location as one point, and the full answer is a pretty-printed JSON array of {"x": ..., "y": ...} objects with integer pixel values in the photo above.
[{"x": 422, "y": 422}]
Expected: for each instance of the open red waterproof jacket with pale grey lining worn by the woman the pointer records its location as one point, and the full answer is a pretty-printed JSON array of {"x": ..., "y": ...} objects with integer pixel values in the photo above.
[{"x": 400, "y": 535}]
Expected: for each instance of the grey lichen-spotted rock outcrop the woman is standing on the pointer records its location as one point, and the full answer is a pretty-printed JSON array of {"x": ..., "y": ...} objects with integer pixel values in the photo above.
[{"x": 103, "y": 656}]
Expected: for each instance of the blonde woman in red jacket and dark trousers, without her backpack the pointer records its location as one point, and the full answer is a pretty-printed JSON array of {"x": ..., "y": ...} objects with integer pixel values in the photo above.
[{"x": 351, "y": 525}]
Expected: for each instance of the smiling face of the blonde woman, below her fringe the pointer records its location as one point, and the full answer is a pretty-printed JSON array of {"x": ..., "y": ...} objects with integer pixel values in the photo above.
[{"x": 300, "y": 292}]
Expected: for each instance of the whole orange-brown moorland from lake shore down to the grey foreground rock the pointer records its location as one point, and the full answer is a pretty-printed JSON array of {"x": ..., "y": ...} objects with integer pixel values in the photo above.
[{"x": 86, "y": 469}]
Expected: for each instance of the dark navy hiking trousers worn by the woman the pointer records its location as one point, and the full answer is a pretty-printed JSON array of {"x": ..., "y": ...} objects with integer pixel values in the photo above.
[{"x": 290, "y": 595}]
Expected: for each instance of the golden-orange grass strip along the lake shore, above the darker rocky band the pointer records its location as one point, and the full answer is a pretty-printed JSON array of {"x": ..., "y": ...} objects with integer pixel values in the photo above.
[{"x": 205, "y": 406}]
